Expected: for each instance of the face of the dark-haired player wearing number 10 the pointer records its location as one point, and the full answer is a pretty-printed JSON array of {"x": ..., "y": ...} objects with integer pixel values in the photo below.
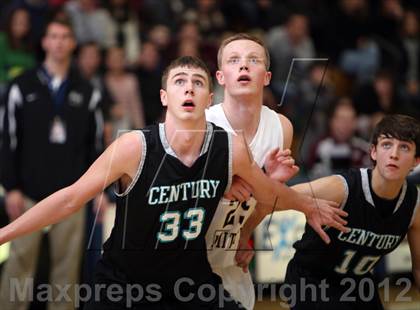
[{"x": 394, "y": 158}]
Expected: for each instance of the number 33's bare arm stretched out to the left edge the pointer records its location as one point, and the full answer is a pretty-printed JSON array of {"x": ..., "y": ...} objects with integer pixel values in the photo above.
[{"x": 119, "y": 160}]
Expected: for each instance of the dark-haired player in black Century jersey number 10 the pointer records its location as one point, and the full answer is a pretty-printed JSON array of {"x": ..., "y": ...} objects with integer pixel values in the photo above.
[{"x": 382, "y": 209}]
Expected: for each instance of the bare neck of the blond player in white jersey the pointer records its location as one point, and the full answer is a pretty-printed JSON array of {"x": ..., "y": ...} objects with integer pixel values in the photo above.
[{"x": 243, "y": 115}]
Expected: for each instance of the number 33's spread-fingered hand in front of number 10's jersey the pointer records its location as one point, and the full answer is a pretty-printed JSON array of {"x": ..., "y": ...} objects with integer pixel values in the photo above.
[{"x": 326, "y": 213}]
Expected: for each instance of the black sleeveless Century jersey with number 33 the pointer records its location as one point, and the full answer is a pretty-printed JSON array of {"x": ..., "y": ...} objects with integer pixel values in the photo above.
[{"x": 162, "y": 217}]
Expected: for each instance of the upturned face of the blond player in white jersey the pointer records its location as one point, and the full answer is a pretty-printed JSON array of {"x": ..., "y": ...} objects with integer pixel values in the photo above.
[{"x": 243, "y": 70}]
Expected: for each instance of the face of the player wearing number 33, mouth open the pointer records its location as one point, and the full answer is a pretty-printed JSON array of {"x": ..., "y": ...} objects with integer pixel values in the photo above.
[{"x": 187, "y": 93}]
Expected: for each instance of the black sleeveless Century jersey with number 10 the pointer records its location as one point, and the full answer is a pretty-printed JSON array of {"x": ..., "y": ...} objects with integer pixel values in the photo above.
[{"x": 374, "y": 231}]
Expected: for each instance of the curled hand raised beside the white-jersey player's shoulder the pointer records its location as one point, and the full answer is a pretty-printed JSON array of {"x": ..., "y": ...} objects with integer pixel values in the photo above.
[{"x": 280, "y": 165}]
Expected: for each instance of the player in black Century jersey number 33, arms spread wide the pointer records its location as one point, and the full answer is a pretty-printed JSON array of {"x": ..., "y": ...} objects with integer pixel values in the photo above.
[{"x": 170, "y": 179}]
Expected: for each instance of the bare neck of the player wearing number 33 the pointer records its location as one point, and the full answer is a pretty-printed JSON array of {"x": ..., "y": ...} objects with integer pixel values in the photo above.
[{"x": 185, "y": 138}]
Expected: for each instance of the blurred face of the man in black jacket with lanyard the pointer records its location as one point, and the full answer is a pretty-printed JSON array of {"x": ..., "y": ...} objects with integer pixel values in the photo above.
[{"x": 58, "y": 42}]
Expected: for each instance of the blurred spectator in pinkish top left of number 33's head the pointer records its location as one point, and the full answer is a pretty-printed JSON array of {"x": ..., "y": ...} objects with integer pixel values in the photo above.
[{"x": 127, "y": 112}]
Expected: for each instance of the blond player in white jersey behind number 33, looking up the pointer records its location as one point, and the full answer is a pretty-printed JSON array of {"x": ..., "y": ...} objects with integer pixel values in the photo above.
[{"x": 243, "y": 62}]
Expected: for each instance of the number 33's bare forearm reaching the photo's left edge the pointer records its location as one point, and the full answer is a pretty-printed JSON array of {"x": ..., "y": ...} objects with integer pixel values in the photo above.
[{"x": 48, "y": 211}]
